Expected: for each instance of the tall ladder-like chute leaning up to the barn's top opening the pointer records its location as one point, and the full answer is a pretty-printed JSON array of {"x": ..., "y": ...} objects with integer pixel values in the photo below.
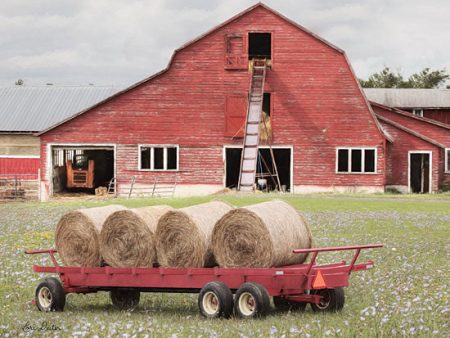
[{"x": 249, "y": 156}]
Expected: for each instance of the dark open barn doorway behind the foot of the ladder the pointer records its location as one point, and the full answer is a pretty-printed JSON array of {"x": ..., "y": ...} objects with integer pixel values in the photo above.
[{"x": 283, "y": 159}]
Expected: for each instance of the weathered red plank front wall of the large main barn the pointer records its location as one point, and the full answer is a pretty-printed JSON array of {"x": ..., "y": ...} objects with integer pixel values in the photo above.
[{"x": 317, "y": 106}]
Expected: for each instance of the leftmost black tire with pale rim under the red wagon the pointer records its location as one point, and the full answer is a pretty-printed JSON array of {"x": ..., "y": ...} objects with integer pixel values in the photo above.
[{"x": 50, "y": 295}]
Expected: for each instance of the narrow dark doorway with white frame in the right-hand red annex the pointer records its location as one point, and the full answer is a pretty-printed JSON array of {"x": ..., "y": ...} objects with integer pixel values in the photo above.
[{"x": 420, "y": 173}]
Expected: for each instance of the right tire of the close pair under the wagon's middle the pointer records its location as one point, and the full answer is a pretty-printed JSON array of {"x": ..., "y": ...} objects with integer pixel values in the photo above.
[{"x": 252, "y": 300}]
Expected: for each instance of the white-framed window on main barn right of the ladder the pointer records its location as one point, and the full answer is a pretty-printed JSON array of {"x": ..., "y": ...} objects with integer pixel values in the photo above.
[{"x": 356, "y": 160}]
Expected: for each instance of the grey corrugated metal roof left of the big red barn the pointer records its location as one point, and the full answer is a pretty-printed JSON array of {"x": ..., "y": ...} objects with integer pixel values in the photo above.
[{"x": 32, "y": 109}]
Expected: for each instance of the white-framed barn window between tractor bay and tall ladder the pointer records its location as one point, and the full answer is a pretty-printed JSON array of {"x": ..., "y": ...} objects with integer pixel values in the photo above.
[{"x": 158, "y": 157}]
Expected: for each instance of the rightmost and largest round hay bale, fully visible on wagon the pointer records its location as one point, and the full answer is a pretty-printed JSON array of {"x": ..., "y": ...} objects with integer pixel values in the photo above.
[{"x": 261, "y": 235}]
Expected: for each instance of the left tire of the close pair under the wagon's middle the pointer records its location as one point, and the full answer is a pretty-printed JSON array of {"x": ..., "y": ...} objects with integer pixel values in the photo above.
[{"x": 215, "y": 300}]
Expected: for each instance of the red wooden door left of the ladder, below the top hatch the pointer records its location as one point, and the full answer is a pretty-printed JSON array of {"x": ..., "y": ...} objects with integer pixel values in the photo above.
[{"x": 235, "y": 113}]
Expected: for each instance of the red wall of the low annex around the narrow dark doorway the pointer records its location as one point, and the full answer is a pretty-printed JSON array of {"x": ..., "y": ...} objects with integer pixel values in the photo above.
[{"x": 397, "y": 159}]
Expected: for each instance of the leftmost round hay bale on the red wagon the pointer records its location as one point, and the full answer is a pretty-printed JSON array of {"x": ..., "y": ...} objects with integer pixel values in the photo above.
[{"x": 76, "y": 236}]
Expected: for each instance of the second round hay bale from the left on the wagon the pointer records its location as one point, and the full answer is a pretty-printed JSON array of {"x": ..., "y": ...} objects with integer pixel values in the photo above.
[{"x": 127, "y": 236}]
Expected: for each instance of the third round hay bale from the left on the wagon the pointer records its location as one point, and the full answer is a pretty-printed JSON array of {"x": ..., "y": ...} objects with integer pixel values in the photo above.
[{"x": 183, "y": 236}]
